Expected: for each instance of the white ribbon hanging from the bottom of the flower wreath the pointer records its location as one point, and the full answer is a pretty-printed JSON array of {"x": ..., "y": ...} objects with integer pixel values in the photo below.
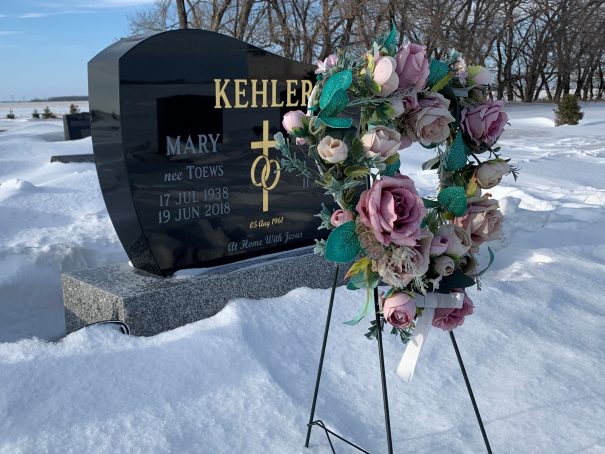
[{"x": 430, "y": 302}]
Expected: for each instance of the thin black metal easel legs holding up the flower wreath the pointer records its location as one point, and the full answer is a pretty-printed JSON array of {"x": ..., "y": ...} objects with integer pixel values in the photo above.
[{"x": 385, "y": 397}]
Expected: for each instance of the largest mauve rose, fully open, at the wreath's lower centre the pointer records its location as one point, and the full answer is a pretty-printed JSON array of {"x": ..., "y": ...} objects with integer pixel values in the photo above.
[{"x": 393, "y": 210}]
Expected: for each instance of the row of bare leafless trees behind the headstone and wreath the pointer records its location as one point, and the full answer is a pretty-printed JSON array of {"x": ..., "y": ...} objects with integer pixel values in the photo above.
[{"x": 536, "y": 49}]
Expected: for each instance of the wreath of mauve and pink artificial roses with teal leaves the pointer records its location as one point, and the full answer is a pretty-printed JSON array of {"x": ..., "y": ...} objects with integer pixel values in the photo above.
[{"x": 361, "y": 112}]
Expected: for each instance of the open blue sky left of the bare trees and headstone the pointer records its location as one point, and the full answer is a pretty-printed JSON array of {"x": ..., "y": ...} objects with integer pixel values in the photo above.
[{"x": 45, "y": 45}]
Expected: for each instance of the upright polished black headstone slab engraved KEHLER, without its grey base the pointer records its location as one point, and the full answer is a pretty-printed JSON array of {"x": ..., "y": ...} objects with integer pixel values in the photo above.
[{"x": 182, "y": 128}]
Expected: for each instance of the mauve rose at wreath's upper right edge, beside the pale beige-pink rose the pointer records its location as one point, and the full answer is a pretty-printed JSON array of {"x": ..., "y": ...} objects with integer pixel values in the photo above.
[{"x": 485, "y": 122}]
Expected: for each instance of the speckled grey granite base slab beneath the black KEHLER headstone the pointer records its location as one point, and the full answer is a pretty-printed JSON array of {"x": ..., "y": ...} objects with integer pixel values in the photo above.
[{"x": 151, "y": 304}]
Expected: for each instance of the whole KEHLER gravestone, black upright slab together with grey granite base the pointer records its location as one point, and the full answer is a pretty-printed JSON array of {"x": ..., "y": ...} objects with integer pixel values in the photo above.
[{"x": 182, "y": 130}]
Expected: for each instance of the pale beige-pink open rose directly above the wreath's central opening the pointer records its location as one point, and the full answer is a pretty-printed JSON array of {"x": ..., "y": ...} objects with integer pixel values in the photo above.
[{"x": 429, "y": 122}]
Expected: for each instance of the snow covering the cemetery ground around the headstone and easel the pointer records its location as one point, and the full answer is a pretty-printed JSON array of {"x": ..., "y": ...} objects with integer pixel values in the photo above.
[{"x": 242, "y": 381}]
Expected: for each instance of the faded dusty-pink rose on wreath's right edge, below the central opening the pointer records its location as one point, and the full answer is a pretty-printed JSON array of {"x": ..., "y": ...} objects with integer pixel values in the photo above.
[{"x": 482, "y": 221}]
